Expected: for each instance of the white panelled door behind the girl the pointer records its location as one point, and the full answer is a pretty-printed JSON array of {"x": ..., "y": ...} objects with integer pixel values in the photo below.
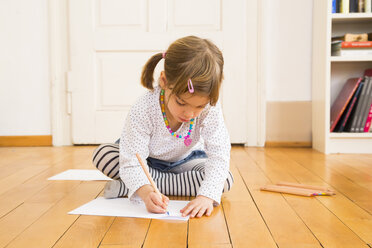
[{"x": 110, "y": 41}]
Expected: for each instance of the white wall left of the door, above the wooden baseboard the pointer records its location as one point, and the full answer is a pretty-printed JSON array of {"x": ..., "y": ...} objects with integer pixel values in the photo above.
[{"x": 24, "y": 72}]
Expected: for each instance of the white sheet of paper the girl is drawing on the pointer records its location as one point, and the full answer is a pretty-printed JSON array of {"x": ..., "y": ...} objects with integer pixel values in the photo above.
[{"x": 122, "y": 207}]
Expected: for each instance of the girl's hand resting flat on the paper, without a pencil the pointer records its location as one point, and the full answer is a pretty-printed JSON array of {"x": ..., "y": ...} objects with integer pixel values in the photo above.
[{"x": 198, "y": 207}]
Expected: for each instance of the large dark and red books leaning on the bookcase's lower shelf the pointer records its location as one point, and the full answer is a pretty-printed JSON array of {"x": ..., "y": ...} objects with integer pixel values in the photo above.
[{"x": 352, "y": 109}]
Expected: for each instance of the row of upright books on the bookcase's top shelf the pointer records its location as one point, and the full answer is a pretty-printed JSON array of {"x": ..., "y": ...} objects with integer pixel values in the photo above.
[{"x": 351, "y": 6}]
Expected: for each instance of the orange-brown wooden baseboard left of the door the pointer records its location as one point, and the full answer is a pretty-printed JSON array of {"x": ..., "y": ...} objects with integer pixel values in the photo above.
[{"x": 34, "y": 140}]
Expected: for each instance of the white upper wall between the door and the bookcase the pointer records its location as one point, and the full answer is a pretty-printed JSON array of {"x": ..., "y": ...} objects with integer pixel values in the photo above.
[{"x": 287, "y": 46}]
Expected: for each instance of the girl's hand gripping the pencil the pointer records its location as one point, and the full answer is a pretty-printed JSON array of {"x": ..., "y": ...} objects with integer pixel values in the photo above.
[{"x": 153, "y": 201}]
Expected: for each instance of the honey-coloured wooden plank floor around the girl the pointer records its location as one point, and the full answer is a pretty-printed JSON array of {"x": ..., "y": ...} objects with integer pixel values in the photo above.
[{"x": 33, "y": 211}]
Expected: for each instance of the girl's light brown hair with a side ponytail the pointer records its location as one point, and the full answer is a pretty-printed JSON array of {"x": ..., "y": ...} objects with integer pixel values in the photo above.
[{"x": 189, "y": 58}]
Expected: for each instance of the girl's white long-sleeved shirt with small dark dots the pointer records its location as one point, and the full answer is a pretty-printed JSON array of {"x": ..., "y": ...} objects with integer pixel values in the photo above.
[{"x": 145, "y": 133}]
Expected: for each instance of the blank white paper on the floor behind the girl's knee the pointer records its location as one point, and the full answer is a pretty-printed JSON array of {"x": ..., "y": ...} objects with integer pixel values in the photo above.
[{"x": 81, "y": 175}]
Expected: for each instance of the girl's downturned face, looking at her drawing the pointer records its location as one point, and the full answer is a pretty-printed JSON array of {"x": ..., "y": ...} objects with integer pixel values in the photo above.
[{"x": 184, "y": 107}]
